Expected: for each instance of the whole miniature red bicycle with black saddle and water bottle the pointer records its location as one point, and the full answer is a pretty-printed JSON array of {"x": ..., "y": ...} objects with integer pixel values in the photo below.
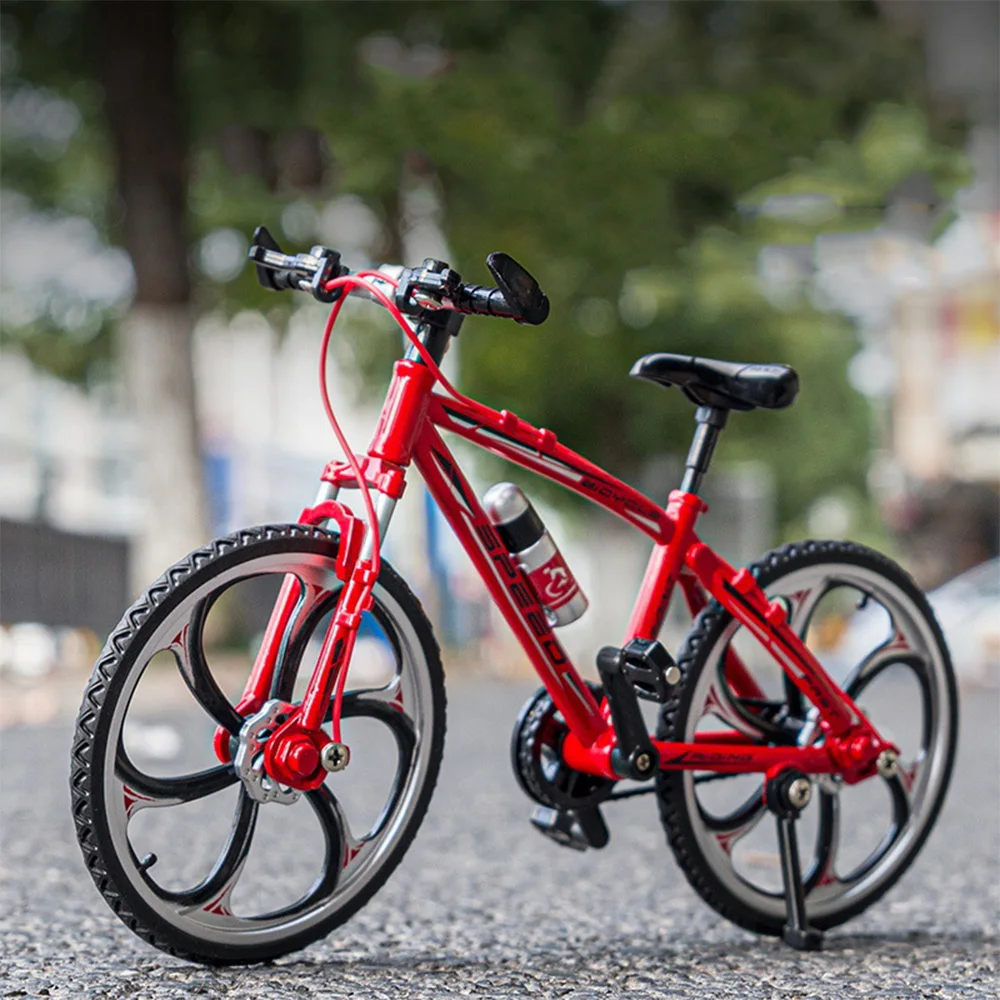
[{"x": 342, "y": 713}]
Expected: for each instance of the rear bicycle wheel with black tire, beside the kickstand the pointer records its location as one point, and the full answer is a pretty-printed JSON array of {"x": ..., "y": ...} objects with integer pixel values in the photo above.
[{"x": 872, "y": 629}]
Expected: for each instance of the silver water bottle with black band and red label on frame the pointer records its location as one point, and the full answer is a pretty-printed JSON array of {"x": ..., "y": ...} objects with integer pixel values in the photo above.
[{"x": 531, "y": 546}]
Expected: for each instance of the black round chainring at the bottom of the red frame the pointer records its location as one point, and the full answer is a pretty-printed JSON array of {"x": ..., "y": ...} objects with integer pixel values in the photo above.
[{"x": 536, "y": 757}]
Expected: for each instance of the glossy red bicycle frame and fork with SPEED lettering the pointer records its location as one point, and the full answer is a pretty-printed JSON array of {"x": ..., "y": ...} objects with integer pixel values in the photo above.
[{"x": 408, "y": 432}]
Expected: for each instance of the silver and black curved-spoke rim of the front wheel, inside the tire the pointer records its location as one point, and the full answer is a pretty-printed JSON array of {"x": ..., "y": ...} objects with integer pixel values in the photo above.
[{"x": 345, "y": 854}]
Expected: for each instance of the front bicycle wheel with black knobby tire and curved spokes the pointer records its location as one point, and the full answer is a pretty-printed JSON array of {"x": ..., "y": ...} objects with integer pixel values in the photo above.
[{"x": 178, "y": 848}]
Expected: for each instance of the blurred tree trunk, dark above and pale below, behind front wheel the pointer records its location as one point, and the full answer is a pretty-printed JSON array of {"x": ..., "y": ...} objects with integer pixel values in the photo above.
[{"x": 137, "y": 65}]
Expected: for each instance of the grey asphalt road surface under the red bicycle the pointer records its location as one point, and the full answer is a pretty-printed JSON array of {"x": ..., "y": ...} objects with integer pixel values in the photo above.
[{"x": 484, "y": 906}]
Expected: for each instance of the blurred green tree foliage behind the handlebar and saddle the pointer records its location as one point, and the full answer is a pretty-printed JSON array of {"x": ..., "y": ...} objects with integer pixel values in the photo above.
[{"x": 621, "y": 151}]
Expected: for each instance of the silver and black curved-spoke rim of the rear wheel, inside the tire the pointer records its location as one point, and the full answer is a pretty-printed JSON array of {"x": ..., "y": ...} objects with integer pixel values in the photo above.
[{"x": 853, "y": 840}]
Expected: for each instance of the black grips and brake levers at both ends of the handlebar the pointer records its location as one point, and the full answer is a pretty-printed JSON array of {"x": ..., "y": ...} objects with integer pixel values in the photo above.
[{"x": 432, "y": 285}]
